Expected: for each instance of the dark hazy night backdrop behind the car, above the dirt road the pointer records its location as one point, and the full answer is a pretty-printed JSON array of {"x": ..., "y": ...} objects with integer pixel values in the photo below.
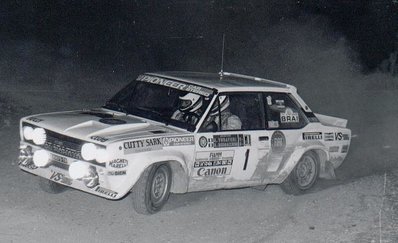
[{"x": 341, "y": 55}]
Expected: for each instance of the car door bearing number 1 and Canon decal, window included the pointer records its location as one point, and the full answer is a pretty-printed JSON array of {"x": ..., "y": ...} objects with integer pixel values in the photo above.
[{"x": 228, "y": 155}]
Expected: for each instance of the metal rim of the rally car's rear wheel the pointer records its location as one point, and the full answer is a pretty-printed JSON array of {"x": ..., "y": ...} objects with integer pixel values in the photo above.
[{"x": 305, "y": 172}]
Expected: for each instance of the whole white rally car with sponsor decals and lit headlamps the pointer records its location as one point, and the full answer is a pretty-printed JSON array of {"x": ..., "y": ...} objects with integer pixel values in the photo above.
[{"x": 182, "y": 132}]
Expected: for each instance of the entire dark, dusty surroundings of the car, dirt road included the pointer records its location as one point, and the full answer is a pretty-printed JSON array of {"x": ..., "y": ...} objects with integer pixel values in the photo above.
[{"x": 340, "y": 54}]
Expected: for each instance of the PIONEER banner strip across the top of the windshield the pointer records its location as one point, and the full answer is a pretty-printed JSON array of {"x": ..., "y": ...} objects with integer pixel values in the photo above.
[{"x": 176, "y": 85}]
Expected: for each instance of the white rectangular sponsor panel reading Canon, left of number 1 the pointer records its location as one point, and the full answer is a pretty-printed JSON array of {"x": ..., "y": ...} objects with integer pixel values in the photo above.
[{"x": 213, "y": 163}]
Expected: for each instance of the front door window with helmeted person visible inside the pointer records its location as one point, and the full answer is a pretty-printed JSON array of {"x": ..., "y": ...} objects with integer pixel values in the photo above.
[{"x": 236, "y": 111}]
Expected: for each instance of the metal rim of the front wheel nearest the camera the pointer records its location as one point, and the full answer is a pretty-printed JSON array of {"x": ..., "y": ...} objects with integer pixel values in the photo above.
[{"x": 160, "y": 184}]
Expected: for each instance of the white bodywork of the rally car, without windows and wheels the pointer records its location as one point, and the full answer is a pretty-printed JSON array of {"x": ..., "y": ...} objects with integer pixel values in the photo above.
[{"x": 199, "y": 160}]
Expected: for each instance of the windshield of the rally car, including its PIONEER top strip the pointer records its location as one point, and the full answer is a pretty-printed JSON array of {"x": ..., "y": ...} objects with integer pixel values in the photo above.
[{"x": 167, "y": 101}]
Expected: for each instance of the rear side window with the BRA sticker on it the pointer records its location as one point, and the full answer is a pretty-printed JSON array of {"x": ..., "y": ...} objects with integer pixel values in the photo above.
[{"x": 282, "y": 112}]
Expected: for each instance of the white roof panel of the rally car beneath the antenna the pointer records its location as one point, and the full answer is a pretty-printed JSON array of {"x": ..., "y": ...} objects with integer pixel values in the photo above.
[{"x": 228, "y": 81}]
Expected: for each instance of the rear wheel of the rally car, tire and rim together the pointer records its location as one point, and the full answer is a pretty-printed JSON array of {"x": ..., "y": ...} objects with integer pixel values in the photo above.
[{"x": 303, "y": 176}]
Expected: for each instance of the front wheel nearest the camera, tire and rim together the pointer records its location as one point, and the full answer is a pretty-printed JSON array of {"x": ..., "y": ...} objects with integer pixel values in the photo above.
[{"x": 152, "y": 190}]
